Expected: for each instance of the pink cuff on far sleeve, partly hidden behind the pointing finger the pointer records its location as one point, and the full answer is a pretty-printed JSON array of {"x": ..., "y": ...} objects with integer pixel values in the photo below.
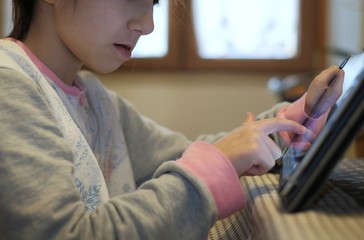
[{"x": 295, "y": 111}]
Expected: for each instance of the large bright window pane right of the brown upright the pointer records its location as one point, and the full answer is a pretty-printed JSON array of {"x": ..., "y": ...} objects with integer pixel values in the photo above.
[{"x": 260, "y": 29}]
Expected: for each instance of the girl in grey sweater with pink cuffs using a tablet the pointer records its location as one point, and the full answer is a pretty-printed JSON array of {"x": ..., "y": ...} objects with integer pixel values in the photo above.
[{"x": 79, "y": 162}]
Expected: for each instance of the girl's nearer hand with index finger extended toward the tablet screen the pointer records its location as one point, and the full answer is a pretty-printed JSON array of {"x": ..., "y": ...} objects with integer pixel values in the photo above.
[{"x": 250, "y": 149}]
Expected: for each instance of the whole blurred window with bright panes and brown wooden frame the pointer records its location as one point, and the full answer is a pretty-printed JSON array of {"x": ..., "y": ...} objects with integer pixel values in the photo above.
[{"x": 279, "y": 35}]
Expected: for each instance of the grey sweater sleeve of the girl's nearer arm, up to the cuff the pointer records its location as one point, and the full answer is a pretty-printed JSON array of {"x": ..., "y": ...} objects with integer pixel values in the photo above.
[{"x": 39, "y": 199}]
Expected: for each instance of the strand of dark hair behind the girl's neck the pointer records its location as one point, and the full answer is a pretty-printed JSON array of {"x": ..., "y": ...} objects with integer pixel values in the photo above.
[{"x": 23, "y": 12}]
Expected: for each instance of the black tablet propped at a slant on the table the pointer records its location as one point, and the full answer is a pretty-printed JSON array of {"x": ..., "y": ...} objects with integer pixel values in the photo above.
[{"x": 305, "y": 167}]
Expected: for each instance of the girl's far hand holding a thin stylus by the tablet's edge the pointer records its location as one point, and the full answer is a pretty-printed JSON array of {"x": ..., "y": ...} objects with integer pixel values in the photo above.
[{"x": 319, "y": 85}]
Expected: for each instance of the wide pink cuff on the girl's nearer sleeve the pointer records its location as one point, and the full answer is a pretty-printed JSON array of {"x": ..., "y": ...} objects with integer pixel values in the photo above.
[{"x": 213, "y": 168}]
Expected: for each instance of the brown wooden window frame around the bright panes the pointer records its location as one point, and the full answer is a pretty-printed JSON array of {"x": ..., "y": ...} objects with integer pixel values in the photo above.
[{"x": 183, "y": 55}]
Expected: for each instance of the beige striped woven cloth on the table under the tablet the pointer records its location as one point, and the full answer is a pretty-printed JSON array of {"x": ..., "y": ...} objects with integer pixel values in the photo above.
[{"x": 335, "y": 215}]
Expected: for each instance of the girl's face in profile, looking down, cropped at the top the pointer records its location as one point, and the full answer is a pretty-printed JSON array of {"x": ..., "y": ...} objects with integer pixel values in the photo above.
[{"x": 101, "y": 34}]
